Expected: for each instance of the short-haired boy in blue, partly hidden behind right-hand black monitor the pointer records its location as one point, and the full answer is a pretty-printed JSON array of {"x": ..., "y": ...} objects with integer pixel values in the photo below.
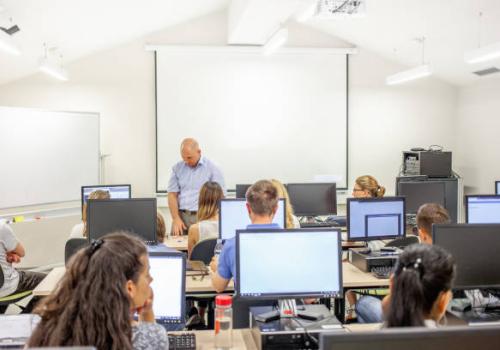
[{"x": 369, "y": 308}]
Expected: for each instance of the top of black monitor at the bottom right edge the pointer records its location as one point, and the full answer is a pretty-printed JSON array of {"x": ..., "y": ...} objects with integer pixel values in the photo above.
[{"x": 414, "y": 338}]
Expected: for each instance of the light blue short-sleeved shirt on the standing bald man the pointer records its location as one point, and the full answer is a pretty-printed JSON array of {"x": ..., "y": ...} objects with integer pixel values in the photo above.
[{"x": 187, "y": 181}]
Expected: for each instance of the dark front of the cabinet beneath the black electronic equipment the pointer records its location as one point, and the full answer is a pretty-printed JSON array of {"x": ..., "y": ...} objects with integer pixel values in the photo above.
[{"x": 417, "y": 193}]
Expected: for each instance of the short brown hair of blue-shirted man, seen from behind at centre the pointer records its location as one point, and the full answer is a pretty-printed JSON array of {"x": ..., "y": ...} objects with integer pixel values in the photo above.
[{"x": 262, "y": 197}]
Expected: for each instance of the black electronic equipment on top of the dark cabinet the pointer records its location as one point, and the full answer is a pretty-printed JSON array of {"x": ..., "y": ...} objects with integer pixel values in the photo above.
[{"x": 430, "y": 163}]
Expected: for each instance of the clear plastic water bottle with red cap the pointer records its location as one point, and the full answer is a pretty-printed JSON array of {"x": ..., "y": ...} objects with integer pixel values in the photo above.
[{"x": 223, "y": 322}]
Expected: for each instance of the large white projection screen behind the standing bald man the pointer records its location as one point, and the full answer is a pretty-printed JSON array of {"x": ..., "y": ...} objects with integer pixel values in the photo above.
[{"x": 282, "y": 116}]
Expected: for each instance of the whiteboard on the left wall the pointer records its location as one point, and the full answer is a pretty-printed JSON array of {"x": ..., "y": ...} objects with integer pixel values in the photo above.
[{"x": 46, "y": 156}]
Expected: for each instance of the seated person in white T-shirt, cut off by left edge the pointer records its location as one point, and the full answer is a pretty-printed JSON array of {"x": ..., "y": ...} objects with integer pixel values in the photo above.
[{"x": 11, "y": 251}]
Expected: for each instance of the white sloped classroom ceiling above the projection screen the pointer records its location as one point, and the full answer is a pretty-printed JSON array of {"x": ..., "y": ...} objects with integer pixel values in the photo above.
[{"x": 81, "y": 28}]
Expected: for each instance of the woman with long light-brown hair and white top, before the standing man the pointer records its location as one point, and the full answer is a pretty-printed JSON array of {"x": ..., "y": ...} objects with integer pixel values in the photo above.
[{"x": 207, "y": 225}]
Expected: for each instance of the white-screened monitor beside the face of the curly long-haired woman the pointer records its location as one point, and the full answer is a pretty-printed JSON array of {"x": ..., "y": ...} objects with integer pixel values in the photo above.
[{"x": 168, "y": 270}]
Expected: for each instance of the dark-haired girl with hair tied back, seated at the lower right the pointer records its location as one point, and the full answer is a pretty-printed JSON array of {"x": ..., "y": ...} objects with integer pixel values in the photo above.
[{"x": 420, "y": 288}]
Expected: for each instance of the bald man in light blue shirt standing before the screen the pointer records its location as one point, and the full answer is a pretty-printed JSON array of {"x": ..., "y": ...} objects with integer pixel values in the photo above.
[{"x": 188, "y": 176}]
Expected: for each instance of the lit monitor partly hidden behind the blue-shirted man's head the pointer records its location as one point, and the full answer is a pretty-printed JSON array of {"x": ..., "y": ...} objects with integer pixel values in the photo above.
[{"x": 233, "y": 215}]
